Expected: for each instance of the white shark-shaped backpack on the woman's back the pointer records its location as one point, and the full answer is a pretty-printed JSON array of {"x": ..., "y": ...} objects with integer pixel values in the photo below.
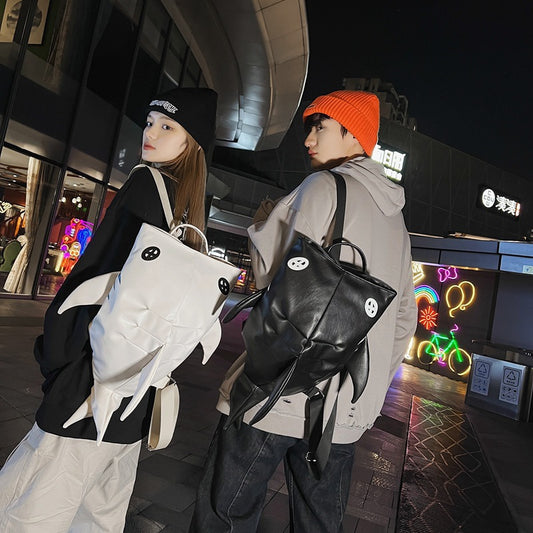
[{"x": 154, "y": 312}]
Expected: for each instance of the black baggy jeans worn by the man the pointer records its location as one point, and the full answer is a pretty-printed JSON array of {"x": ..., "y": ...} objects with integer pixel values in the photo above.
[{"x": 240, "y": 463}]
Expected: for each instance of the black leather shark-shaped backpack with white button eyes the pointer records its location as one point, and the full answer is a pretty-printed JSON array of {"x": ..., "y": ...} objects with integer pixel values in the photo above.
[{"x": 311, "y": 321}]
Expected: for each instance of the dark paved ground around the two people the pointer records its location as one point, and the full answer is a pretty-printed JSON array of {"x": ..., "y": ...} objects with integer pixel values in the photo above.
[{"x": 164, "y": 493}]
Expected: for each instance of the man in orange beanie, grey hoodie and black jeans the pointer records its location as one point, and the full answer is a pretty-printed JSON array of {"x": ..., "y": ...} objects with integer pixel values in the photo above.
[{"x": 342, "y": 130}]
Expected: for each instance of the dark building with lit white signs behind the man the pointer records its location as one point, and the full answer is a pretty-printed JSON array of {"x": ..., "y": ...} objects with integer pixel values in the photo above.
[{"x": 443, "y": 186}]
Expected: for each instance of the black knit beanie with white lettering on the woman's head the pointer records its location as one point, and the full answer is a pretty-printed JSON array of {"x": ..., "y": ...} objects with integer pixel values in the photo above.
[{"x": 194, "y": 109}]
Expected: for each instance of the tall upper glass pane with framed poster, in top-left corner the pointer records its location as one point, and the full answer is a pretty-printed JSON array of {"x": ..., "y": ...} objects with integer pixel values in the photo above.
[{"x": 53, "y": 66}]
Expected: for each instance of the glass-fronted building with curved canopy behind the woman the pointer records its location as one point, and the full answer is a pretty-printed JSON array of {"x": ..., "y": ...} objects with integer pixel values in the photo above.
[{"x": 75, "y": 78}]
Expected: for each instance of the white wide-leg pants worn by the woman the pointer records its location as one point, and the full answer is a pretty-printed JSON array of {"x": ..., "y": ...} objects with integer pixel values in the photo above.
[{"x": 53, "y": 484}]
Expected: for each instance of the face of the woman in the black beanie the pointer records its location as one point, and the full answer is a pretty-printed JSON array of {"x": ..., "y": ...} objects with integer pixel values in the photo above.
[{"x": 164, "y": 139}]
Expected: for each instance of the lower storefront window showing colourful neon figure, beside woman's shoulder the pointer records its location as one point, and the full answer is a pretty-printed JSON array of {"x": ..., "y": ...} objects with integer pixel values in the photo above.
[{"x": 71, "y": 230}]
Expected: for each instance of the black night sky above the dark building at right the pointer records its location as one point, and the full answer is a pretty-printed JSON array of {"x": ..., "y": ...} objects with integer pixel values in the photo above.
[{"x": 466, "y": 72}]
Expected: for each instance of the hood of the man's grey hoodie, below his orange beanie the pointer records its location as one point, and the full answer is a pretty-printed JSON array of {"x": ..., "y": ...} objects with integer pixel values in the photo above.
[{"x": 389, "y": 196}]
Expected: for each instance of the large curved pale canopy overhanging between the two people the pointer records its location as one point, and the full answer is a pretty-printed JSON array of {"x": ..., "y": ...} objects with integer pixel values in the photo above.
[{"x": 254, "y": 53}]
